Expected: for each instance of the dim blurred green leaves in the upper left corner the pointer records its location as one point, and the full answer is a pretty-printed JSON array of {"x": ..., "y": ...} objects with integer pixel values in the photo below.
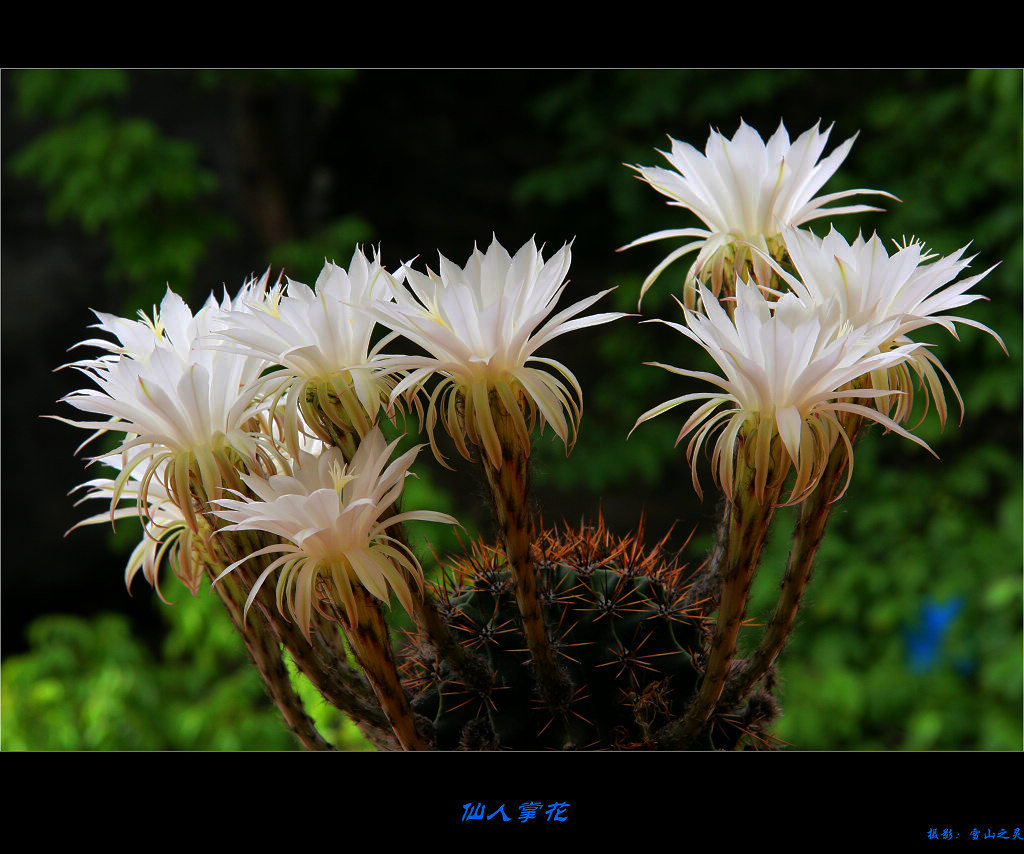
[{"x": 119, "y": 176}]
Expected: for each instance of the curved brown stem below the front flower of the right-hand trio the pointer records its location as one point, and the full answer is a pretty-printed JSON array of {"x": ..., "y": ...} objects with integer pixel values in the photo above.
[{"x": 749, "y": 523}]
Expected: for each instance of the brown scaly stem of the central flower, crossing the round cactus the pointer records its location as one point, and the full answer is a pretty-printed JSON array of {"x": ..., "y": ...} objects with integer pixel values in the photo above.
[{"x": 510, "y": 490}]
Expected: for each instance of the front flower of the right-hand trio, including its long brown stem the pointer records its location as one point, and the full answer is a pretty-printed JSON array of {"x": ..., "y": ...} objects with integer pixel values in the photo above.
[{"x": 779, "y": 408}]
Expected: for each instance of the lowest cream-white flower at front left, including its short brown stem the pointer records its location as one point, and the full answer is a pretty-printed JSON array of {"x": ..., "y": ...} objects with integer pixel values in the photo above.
[{"x": 337, "y": 552}]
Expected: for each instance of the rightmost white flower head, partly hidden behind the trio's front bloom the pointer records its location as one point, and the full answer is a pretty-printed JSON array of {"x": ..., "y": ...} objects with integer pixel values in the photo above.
[{"x": 869, "y": 286}]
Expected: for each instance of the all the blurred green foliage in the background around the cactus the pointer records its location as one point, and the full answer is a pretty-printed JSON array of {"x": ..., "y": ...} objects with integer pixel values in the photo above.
[{"x": 912, "y": 530}]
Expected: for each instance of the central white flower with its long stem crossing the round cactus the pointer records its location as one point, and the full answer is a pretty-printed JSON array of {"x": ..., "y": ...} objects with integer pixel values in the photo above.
[{"x": 482, "y": 327}]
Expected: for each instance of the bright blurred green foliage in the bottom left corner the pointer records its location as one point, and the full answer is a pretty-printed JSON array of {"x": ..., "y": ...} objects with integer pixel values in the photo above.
[{"x": 91, "y": 685}]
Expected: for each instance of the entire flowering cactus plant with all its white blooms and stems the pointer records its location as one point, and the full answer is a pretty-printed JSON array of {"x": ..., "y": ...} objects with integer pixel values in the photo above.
[{"x": 252, "y": 448}]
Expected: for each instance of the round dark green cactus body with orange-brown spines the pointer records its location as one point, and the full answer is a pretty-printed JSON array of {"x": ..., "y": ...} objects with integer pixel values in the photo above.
[{"x": 633, "y": 653}]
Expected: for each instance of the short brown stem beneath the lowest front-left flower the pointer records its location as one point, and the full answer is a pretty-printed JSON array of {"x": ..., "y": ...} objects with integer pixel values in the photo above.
[{"x": 368, "y": 633}]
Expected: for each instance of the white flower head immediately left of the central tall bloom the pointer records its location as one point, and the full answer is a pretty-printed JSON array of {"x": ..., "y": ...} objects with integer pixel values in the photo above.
[{"x": 321, "y": 337}]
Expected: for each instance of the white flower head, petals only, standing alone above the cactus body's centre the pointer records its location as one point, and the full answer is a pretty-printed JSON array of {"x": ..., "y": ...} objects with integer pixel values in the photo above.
[{"x": 483, "y": 326}]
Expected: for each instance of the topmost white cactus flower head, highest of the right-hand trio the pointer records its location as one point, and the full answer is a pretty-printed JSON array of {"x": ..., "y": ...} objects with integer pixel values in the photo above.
[{"x": 747, "y": 192}]
